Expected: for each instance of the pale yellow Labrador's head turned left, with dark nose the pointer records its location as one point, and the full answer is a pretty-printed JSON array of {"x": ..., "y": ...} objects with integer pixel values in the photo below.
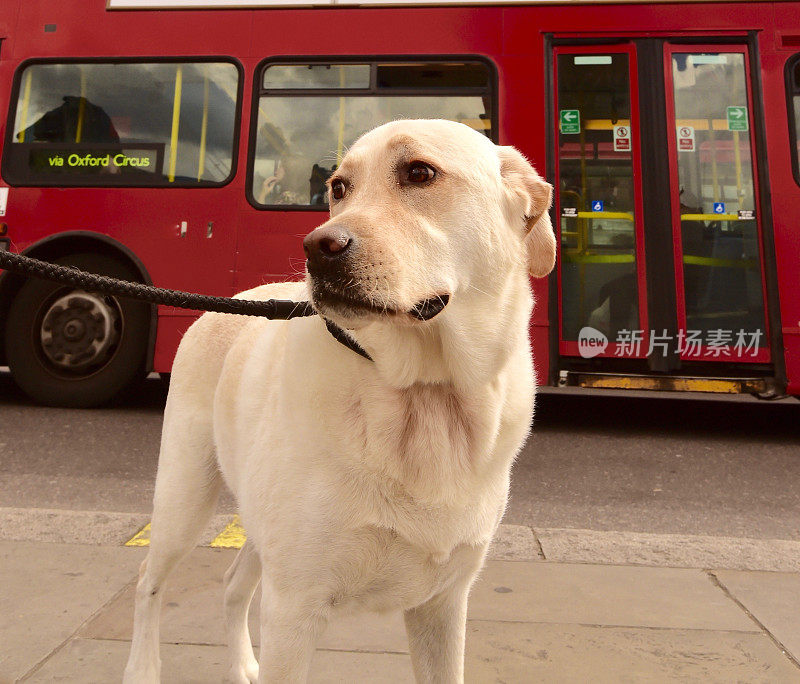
[{"x": 425, "y": 216}]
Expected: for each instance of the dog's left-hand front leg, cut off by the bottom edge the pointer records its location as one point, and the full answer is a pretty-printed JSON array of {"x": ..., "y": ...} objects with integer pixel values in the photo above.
[{"x": 291, "y": 623}]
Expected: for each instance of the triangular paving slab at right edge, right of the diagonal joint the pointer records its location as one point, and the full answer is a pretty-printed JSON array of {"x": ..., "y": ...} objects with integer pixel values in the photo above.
[{"x": 774, "y": 600}]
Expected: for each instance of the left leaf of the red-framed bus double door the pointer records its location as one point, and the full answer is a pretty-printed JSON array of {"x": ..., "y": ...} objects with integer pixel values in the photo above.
[{"x": 602, "y": 274}]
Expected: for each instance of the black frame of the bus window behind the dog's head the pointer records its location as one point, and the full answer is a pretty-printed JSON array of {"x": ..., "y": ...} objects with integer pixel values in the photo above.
[{"x": 259, "y": 91}]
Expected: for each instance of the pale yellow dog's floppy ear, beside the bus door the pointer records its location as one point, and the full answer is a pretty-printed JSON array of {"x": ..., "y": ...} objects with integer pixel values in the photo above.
[{"x": 532, "y": 194}]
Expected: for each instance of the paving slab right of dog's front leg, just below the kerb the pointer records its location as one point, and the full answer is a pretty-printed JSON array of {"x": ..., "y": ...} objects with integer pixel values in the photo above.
[{"x": 604, "y": 595}]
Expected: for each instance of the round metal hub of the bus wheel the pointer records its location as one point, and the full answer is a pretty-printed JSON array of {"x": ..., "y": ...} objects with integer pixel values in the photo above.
[{"x": 79, "y": 330}]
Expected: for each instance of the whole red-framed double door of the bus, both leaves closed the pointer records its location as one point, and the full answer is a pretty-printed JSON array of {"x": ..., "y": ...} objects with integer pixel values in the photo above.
[{"x": 660, "y": 267}]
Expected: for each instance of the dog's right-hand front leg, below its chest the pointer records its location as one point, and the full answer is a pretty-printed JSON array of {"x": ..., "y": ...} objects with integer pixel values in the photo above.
[{"x": 436, "y": 633}]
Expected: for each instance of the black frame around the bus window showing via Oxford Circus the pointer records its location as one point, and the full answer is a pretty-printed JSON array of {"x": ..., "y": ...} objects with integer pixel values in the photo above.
[{"x": 83, "y": 182}]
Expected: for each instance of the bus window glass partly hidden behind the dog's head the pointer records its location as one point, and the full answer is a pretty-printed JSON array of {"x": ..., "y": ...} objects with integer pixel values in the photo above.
[{"x": 308, "y": 114}]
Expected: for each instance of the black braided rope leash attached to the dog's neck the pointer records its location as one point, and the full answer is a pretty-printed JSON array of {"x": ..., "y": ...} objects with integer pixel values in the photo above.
[{"x": 275, "y": 309}]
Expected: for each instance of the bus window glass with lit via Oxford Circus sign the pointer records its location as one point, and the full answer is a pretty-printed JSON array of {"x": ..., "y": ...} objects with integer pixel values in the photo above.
[{"x": 144, "y": 124}]
